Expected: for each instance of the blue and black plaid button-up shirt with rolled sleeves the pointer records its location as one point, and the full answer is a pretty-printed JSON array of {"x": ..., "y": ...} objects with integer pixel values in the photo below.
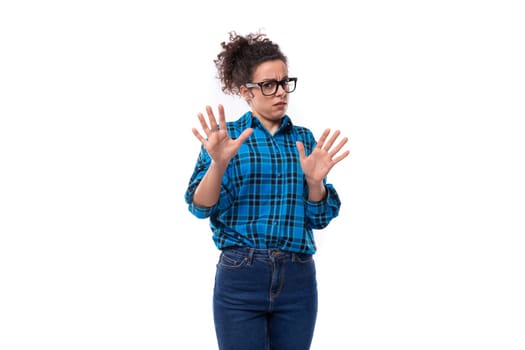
[{"x": 263, "y": 201}]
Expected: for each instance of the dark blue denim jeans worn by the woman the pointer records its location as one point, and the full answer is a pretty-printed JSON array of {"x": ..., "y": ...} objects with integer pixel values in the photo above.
[{"x": 264, "y": 299}]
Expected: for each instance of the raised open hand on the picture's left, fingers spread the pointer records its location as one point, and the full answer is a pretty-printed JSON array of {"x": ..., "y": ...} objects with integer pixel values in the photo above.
[{"x": 217, "y": 142}]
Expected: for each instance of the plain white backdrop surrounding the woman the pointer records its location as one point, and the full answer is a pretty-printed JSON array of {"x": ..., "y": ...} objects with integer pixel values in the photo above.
[{"x": 97, "y": 102}]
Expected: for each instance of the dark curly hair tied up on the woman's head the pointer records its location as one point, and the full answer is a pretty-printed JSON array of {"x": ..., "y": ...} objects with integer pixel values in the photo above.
[{"x": 240, "y": 57}]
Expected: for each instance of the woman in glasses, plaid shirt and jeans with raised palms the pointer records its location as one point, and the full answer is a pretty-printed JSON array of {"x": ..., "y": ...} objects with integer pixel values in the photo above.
[{"x": 261, "y": 181}]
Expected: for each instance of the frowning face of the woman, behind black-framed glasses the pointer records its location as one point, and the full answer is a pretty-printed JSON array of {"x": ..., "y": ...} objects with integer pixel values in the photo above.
[{"x": 269, "y": 109}]
